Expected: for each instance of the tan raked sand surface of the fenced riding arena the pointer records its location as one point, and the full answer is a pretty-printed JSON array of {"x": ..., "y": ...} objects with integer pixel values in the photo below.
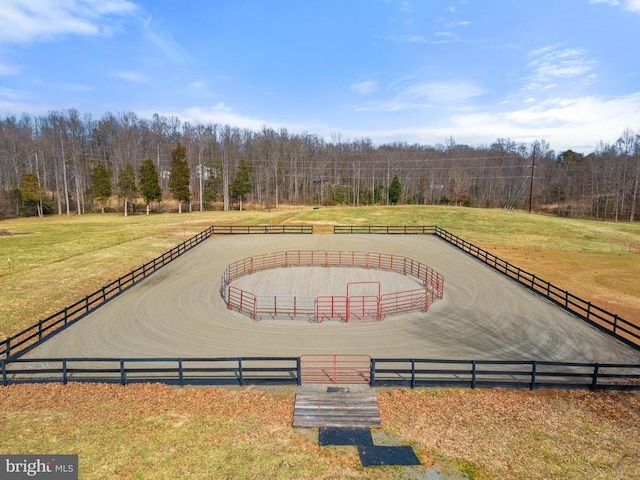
[{"x": 179, "y": 312}]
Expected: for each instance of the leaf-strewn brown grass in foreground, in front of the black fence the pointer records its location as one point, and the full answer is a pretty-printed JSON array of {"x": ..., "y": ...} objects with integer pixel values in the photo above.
[{"x": 156, "y": 431}]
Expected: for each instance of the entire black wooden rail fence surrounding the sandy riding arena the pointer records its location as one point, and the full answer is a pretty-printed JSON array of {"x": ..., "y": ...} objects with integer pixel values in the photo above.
[{"x": 258, "y": 370}]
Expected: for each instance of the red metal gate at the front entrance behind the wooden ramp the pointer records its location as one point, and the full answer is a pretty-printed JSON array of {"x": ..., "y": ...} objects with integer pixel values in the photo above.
[{"x": 339, "y": 369}]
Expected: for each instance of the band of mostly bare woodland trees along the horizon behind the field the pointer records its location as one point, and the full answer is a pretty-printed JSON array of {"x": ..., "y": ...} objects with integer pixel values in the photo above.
[{"x": 66, "y": 162}]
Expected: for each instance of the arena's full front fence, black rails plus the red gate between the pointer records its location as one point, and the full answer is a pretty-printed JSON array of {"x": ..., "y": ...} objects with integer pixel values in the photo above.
[{"x": 293, "y": 370}]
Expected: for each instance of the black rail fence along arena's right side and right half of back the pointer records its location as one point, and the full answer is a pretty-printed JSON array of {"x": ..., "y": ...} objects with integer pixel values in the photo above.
[{"x": 606, "y": 321}]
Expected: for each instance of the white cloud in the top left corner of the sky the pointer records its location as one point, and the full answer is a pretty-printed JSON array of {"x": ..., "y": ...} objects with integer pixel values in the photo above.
[{"x": 25, "y": 21}]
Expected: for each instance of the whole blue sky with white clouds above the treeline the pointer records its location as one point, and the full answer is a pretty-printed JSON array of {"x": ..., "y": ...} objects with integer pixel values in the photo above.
[{"x": 390, "y": 70}]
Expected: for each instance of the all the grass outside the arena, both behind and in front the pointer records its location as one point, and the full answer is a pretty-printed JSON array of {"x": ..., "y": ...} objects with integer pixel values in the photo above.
[{"x": 155, "y": 431}]
